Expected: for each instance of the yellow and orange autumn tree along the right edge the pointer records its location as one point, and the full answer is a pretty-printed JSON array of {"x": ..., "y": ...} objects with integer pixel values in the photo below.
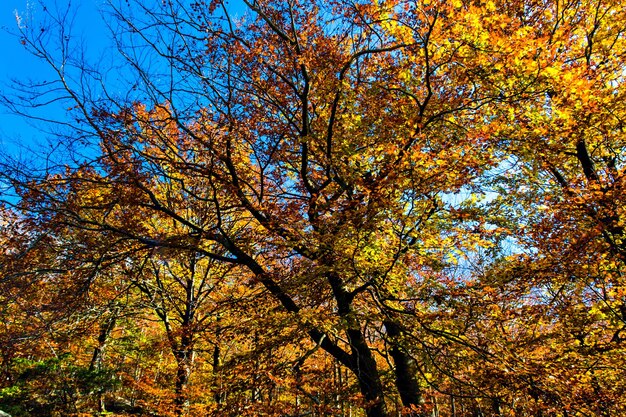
[{"x": 568, "y": 169}]
